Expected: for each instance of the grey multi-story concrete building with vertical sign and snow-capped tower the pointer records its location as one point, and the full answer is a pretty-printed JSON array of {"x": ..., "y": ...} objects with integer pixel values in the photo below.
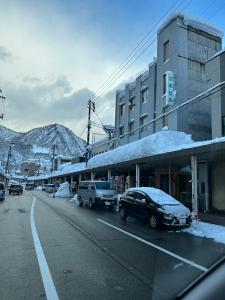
[{"x": 184, "y": 48}]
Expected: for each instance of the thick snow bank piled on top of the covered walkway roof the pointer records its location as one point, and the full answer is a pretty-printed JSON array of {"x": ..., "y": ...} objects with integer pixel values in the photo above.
[{"x": 160, "y": 142}]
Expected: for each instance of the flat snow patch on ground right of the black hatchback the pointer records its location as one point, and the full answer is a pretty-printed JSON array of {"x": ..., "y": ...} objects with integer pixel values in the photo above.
[{"x": 207, "y": 230}]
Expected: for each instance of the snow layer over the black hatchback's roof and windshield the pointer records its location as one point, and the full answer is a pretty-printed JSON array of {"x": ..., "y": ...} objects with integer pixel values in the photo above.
[{"x": 157, "y": 195}]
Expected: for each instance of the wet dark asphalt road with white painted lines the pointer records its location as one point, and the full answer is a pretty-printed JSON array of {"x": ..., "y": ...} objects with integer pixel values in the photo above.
[{"x": 92, "y": 254}]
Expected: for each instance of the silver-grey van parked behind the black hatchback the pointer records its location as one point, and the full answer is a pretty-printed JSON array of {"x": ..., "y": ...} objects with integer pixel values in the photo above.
[{"x": 96, "y": 194}]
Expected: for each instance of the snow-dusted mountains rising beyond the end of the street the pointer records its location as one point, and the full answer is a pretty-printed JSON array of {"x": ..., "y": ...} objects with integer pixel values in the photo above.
[{"x": 39, "y": 142}]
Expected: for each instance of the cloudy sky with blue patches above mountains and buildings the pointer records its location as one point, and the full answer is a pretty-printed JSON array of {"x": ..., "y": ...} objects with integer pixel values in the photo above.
[{"x": 54, "y": 55}]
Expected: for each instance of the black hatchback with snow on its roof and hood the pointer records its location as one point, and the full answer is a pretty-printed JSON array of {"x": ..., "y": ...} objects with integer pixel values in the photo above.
[{"x": 153, "y": 206}]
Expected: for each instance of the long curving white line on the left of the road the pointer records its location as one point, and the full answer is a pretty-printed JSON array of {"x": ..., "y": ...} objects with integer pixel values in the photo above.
[{"x": 49, "y": 286}]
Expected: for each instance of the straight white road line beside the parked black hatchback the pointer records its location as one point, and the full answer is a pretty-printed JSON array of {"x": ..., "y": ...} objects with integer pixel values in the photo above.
[{"x": 193, "y": 264}]
